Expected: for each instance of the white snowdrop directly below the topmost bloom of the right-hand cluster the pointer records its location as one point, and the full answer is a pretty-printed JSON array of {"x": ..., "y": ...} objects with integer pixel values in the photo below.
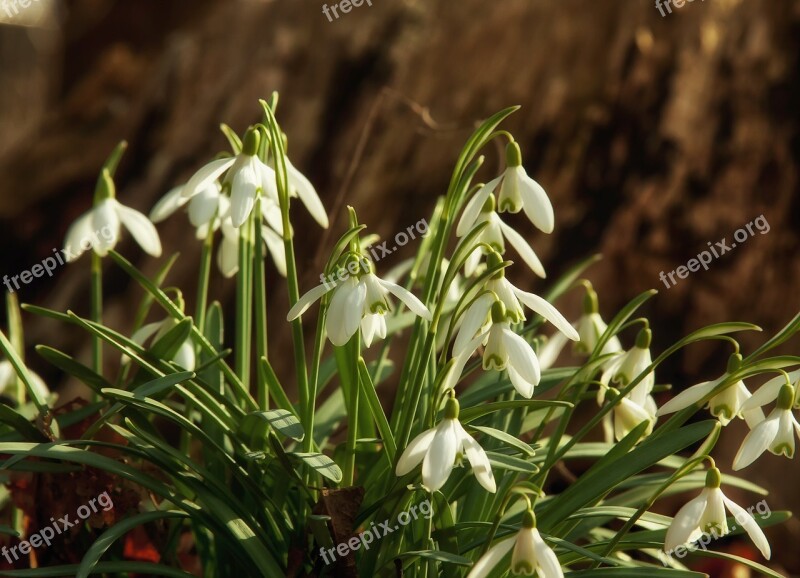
[{"x": 480, "y": 209}]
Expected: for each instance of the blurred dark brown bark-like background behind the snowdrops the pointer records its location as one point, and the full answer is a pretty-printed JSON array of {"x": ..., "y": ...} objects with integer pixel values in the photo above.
[{"x": 652, "y": 135}]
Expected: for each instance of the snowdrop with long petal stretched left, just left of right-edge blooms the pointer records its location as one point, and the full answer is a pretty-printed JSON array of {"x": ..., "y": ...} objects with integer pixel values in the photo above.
[{"x": 725, "y": 405}]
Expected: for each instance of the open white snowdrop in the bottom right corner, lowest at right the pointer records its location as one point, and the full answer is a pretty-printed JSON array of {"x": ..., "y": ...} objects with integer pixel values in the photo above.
[{"x": 705, "y": 514}]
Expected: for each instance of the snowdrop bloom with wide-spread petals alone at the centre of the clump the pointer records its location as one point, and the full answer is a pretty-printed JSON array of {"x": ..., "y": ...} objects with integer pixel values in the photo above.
[{"x": 360, "y": 300}]
